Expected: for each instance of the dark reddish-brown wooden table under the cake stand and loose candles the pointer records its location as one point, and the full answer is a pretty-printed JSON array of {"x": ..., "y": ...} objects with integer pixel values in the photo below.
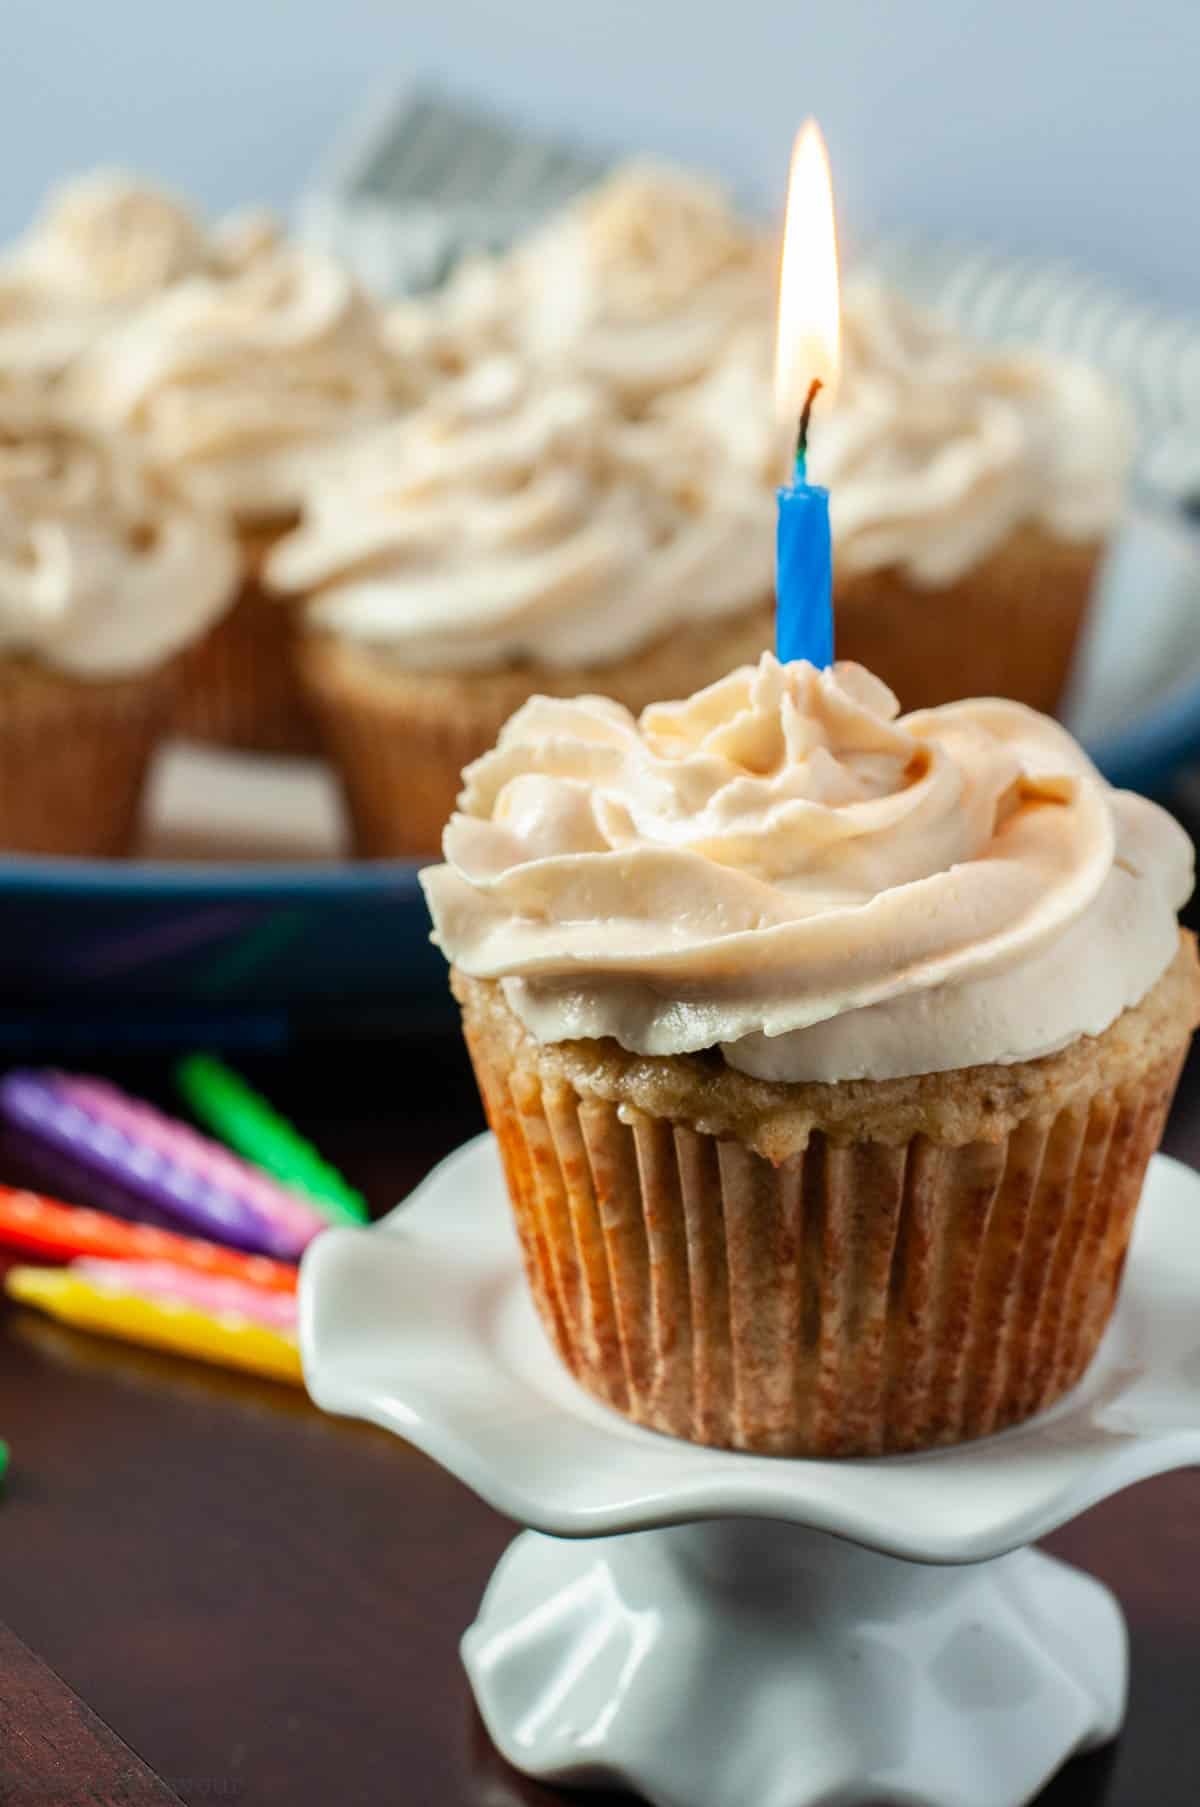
[{"x": 216, "y": 1595}]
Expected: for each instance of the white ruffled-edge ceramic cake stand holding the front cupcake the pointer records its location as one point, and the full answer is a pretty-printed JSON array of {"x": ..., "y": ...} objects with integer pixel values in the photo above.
[{"x": 735, "y": 1631}]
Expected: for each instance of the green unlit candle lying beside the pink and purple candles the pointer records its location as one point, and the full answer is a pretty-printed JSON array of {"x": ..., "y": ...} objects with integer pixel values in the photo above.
[{"x": 239, "y": 1116}]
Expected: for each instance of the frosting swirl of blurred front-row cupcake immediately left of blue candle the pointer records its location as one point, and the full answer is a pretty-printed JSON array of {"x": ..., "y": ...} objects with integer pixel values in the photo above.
[{"x": 518, "y": 518}]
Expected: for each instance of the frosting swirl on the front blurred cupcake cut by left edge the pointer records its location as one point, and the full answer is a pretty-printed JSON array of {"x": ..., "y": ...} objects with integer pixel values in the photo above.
[{"x": 102, "y": 572}]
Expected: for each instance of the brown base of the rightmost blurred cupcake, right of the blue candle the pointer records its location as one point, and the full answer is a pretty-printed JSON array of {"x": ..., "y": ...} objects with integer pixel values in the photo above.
[{"x": 1006, "y": 628}]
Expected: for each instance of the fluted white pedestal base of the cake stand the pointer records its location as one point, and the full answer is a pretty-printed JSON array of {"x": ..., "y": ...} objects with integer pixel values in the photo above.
[{"x": 731, "y": 1663}]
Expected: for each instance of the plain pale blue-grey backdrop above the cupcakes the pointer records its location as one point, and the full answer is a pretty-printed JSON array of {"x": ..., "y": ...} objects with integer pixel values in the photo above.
[{"x": 1064, "y": 127}]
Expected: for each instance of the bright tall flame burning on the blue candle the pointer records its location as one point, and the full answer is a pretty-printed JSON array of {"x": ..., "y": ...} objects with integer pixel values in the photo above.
[{"x": 809, "y": 341}]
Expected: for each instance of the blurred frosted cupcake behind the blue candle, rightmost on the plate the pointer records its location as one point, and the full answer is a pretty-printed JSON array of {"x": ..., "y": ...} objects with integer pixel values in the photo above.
[{"x": 971, "y": 498}]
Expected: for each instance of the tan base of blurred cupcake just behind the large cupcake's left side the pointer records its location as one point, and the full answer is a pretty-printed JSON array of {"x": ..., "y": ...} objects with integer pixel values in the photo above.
[{"x": 402, "y": 738}]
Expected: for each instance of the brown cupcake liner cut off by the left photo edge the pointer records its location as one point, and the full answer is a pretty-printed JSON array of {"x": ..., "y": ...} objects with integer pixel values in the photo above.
[{"x": 75, "y": 758}]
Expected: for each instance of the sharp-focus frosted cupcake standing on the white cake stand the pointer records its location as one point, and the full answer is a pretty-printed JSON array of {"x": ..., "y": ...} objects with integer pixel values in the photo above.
[{"x": 825, "y": 1049}]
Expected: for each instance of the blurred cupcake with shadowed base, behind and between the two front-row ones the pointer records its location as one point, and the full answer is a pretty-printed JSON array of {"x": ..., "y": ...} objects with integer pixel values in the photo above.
[{"x": 239, "y": 386}]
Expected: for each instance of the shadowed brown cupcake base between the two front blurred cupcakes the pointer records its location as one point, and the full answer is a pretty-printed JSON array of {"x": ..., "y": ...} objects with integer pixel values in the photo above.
[{"x": 239, "y": 684}]
